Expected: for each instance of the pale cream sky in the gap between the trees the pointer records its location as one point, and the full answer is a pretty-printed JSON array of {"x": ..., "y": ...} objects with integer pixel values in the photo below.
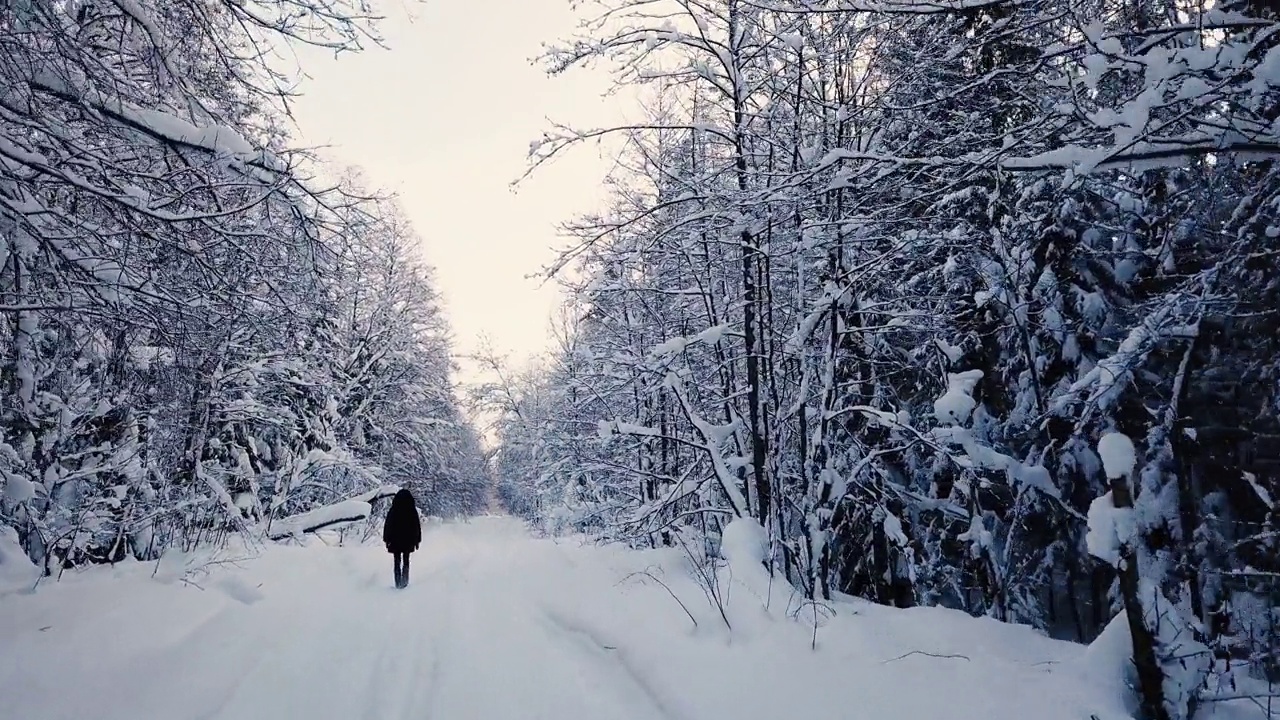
[{"x": 445, "y": 120}]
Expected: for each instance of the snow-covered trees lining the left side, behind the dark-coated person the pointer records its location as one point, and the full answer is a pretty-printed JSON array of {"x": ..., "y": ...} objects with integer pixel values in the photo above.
[{"x": 200, "y": 332}]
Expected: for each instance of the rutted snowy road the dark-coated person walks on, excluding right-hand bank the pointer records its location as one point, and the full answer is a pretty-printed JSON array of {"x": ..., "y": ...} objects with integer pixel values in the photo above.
[{"x": 324, "y": 636}]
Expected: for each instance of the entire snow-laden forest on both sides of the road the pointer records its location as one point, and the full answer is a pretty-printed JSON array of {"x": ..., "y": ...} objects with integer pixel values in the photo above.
[{"x": 971, "y": 304}]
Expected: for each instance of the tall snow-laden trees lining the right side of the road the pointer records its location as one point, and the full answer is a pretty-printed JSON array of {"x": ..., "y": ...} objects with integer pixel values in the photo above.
[{"x": 883, "y": 276}]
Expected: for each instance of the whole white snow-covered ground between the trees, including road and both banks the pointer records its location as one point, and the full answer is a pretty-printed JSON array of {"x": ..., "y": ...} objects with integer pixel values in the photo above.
[{"x": 497, "y": 625}]
